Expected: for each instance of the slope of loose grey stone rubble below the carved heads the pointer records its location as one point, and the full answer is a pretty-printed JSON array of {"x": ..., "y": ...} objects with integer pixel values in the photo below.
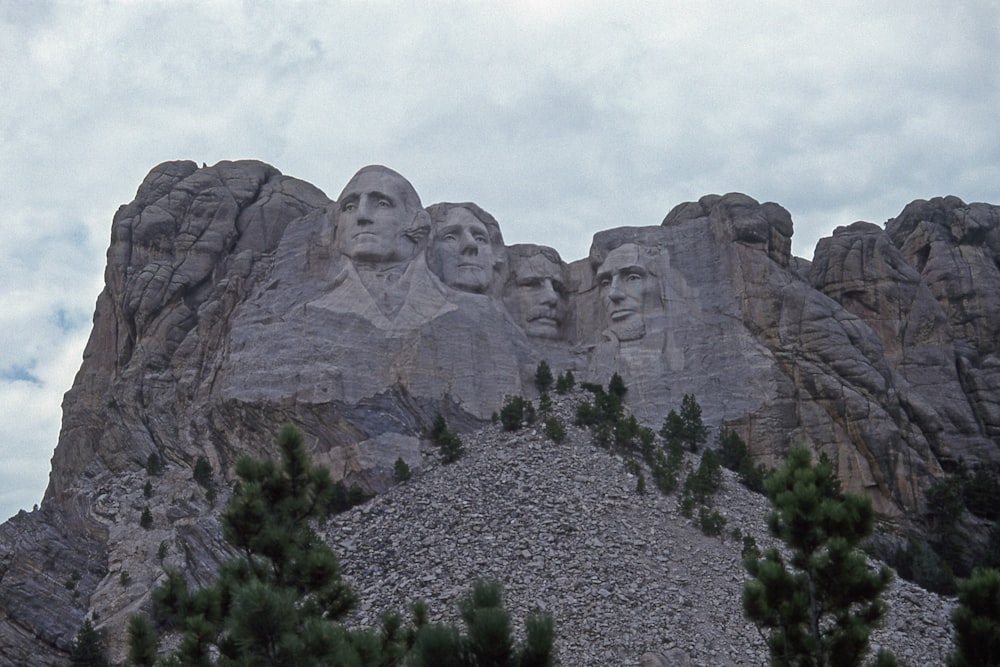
[{"x": 562, "y": 527}]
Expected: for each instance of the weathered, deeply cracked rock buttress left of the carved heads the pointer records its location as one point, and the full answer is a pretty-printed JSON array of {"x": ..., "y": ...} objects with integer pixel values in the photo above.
[{"x": 184, "y": 254}]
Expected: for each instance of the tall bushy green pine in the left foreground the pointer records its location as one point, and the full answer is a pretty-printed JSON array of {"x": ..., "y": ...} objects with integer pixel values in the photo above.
[{"x": 275, "y": 602}]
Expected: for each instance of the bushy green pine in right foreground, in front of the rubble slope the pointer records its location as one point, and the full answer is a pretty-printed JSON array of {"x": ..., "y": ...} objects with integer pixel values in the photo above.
[{"x": 819, "y": 609}]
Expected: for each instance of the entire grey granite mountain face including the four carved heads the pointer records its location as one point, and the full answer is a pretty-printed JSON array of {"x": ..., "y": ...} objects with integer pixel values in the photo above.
[{"x": 237, "y": 298}]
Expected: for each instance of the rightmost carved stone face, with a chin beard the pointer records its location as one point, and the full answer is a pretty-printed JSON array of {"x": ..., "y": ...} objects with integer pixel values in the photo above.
[{"x": 628, "y": 290}]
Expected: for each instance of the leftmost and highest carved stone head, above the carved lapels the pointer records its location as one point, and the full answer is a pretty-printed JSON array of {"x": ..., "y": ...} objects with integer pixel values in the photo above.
[{"x": 373, "y": 216}]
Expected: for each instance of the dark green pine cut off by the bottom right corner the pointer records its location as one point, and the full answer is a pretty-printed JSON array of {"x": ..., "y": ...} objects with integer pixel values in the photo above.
[{"x": 977, "y": 621}]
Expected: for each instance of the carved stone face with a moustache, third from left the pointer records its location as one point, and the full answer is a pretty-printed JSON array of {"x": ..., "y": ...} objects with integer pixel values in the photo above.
[{"x": 536, "y": 296}]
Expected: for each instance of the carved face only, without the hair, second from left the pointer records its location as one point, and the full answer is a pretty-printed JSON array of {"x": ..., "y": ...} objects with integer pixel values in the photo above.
[{"x": 463, "y": 251}]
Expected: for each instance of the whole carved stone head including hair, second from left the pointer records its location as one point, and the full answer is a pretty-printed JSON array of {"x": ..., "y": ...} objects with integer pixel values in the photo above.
[{"x": 466, "y": 248}]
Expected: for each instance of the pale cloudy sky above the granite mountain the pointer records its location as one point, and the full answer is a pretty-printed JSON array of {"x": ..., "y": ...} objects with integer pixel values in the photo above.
[{"x": 560, "y": 117}]
